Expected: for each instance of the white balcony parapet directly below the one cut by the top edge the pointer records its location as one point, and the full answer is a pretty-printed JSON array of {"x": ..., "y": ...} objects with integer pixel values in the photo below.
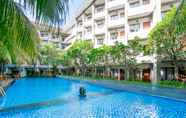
[{"x": 117, "y": 22}]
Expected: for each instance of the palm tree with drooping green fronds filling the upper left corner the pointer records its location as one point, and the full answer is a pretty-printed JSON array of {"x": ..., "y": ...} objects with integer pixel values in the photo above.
[{"x": 18, "y": 36}]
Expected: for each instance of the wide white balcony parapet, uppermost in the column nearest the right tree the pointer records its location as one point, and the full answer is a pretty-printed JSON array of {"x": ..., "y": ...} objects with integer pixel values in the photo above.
[{"x": 142, "y": 10}]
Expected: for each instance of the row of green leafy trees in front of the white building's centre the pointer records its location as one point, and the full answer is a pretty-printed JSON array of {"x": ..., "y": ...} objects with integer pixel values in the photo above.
[{"x": 82, "y": 53}]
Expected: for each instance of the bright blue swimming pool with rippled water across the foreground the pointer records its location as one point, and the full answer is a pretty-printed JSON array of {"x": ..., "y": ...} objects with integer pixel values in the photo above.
[{"x": 59, "y": 98}]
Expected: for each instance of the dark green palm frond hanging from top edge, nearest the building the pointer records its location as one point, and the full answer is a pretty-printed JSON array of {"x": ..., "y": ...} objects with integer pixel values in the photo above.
[{"x": 52, "y": 12}]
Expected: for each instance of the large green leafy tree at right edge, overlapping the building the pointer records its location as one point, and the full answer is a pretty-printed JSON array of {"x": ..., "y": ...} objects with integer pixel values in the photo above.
[{"x": 165, "y": 39}]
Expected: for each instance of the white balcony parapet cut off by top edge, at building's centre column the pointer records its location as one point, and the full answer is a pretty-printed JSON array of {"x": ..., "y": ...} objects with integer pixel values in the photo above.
[{"x": 116, "y": 4}]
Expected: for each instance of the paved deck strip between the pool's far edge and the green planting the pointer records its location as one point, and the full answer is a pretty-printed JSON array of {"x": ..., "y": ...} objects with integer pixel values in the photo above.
[{"x": 164, "y": 92}]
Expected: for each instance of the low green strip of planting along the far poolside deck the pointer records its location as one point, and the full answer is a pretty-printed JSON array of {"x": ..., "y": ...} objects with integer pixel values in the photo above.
[{"x": 165, "y": 83}]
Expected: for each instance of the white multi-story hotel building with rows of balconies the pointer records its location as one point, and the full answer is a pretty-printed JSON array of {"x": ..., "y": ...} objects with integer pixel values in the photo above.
[{"x": 106, "y": 21}]
